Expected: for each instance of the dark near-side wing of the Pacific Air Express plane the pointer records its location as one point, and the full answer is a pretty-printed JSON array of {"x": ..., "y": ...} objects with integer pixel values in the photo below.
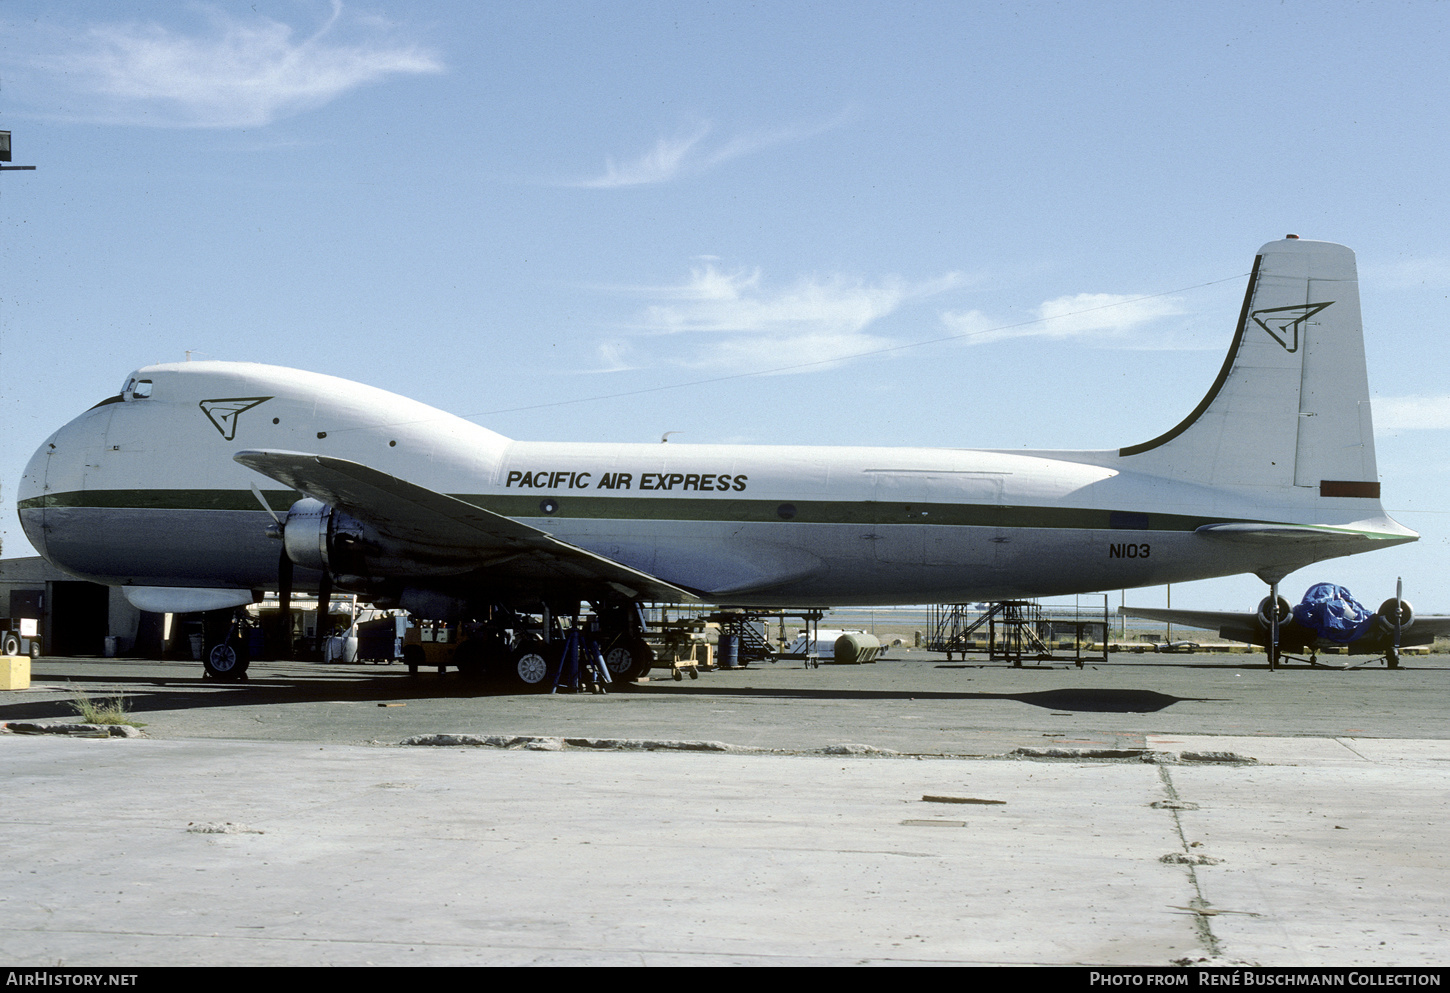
[{"x": 513, "y": 552}]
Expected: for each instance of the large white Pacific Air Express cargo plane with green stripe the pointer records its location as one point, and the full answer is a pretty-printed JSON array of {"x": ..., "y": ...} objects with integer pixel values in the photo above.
[{"x": 178, "y": 488}]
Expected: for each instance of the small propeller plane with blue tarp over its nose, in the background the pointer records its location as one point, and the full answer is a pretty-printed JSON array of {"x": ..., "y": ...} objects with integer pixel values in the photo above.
[{"x": 1329, "y": 617}]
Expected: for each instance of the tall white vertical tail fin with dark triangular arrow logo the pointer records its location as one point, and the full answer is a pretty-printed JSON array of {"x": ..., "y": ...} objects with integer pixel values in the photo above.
[{"x": 1290, "y": 410}]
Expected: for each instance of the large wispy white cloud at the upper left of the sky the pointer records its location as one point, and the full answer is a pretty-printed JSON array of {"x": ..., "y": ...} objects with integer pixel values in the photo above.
[{"x": 239, "y": 73}]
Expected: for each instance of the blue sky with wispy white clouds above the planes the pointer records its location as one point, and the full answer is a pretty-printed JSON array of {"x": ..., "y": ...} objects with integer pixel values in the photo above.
[{"x": 582, "y": 221}]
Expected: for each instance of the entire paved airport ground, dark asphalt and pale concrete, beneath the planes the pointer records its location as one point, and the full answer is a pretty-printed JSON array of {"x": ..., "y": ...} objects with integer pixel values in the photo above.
[{"x": 1146, "y": 811}]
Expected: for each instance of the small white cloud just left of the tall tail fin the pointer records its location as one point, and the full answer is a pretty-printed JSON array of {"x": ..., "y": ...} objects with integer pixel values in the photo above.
[{"x": 1091, "y": 317}]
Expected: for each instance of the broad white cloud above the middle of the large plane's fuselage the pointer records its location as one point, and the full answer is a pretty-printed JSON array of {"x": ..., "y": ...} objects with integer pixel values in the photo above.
[{"x": 734, "y": 321}]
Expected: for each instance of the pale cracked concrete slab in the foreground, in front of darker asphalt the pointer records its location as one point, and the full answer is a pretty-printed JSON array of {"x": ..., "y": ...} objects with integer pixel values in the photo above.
[{"x": 178, "y": 853}]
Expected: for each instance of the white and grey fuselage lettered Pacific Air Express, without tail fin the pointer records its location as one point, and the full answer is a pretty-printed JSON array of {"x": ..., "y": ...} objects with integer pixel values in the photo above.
[{"x": 144, "y": 491}]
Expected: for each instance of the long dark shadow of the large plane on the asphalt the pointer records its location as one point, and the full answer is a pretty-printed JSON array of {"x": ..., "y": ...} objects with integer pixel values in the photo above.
[{"x": 315, "y": 685}]
